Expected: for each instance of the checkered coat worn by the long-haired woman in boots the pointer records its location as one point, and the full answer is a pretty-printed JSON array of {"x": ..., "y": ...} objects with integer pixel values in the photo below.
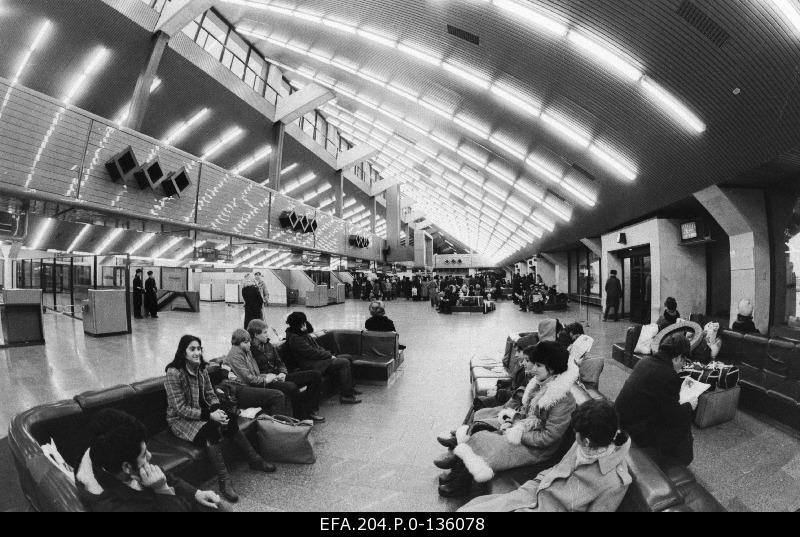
[{"x": 184, "y": 390}]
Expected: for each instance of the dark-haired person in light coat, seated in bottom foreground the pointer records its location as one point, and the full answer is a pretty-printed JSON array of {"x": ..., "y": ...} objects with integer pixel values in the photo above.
[{"x": 592, "y": 477}]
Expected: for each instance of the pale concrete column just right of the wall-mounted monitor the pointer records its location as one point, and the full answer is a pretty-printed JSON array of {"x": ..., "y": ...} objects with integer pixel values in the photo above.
[{"x": 741, "y": 213}]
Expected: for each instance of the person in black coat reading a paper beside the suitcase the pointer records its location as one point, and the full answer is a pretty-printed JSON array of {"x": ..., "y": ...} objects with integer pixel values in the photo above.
[{"x": 649, "y": 407}]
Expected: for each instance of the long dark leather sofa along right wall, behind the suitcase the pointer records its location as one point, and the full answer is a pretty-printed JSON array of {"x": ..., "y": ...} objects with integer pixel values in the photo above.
[{"x": 769, "y": 370}]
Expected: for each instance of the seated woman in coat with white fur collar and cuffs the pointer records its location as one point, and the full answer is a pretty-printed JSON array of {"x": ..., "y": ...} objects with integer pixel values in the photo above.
[{"x": 516, "y": 436}]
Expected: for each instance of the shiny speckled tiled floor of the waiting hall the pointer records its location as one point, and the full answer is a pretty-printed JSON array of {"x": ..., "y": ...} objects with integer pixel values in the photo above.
[{"x": 377, "y": 455}]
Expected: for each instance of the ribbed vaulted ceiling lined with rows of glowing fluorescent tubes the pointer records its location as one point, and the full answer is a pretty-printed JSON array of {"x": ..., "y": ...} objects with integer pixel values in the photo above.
[{"x": 514, "y": 126}]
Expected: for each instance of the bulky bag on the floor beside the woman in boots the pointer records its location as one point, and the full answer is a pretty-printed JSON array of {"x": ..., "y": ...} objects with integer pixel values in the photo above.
[{"x": 285, "y": 439}]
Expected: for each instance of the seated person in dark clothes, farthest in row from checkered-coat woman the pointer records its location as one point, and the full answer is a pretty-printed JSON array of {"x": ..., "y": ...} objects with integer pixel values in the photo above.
[{"x": 309, "y": 355}]
